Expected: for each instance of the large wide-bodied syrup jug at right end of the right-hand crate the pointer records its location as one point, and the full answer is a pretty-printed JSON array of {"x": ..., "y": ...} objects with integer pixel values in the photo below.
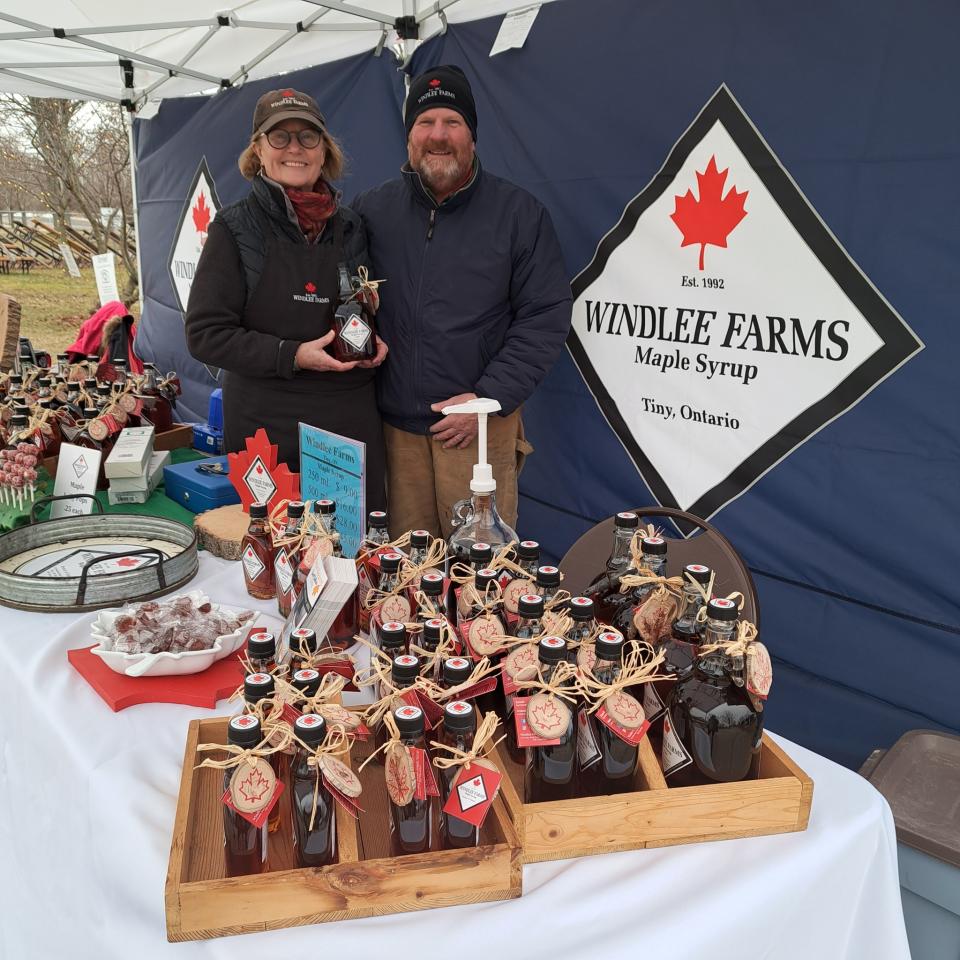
[{"x": 712, "y": 729}]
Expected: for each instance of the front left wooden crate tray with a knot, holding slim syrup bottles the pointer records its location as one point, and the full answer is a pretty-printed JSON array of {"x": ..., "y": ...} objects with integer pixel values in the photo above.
[{"x": 202, "y": 903}]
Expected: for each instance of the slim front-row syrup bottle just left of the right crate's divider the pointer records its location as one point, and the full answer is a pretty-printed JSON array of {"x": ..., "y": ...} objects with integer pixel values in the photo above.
[{"x": 607, "y": 762}]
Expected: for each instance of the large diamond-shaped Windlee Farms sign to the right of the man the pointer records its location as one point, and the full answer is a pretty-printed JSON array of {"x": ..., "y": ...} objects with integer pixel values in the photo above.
[{"x": 720, "y": 324}]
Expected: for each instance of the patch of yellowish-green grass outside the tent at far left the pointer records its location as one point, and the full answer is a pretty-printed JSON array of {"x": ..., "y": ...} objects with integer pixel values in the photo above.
[{"x": 53, "y": 304}]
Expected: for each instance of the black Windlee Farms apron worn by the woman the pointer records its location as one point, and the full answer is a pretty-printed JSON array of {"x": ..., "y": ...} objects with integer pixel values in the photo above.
[{"x": 289, "y": 302}]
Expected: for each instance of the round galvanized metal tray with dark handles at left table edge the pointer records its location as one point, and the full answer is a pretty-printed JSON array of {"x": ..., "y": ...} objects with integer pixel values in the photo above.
[{"x": 98, "y": 560}]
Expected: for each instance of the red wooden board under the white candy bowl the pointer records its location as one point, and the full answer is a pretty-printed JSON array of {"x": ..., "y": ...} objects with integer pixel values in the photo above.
[{"x": 195, "y": 689}]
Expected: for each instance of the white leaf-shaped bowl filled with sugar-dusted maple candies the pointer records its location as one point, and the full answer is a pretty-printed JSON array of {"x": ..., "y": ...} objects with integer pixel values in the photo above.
[{"x": 179, "y": 635}]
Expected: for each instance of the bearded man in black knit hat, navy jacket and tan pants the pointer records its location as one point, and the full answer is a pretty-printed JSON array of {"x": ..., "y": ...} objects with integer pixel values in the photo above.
[{"x": 476, "y": 303}]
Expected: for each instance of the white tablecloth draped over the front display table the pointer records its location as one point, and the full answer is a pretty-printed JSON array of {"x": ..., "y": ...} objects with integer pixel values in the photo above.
[{"x": 87, "y": 806}]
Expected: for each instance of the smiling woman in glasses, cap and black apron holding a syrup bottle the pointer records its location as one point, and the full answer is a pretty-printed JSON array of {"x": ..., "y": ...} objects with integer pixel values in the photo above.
[{"x": 266, "y": 288}]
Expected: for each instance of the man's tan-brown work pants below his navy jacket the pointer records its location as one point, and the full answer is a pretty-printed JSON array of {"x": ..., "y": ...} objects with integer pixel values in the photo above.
[{"x": 424, "y": 480}]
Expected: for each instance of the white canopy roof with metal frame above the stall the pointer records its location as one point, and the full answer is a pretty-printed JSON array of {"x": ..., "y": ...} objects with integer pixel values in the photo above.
[{"x": 75, "y": 48}]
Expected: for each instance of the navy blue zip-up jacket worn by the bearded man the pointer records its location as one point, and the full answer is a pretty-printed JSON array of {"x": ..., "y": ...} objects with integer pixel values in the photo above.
[{"x": 477, "y": 297}]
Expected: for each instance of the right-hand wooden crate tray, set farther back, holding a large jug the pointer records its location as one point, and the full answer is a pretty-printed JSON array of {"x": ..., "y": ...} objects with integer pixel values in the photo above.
[{"x": 656, "y": 815}]
